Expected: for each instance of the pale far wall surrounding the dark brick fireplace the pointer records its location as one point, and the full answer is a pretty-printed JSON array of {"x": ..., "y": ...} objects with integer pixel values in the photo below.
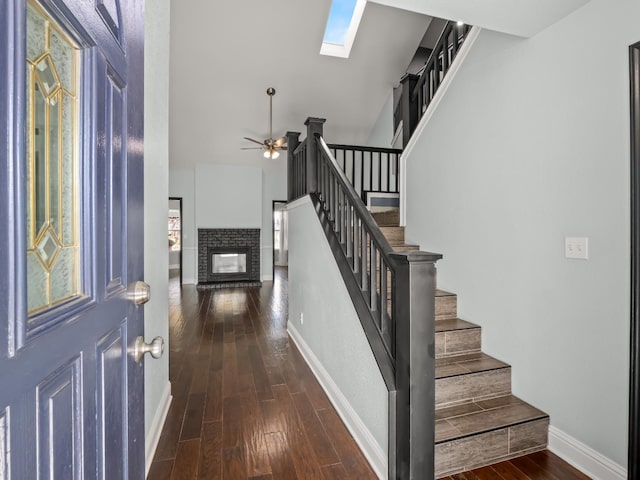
[{"x": 228, "y": 196}]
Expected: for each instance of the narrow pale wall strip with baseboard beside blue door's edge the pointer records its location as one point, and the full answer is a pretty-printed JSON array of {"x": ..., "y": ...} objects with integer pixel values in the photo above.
[{"x": 156, "y": 192}]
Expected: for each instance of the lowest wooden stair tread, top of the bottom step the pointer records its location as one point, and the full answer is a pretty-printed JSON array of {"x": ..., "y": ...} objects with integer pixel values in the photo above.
[{"x": 479, "y": 417}]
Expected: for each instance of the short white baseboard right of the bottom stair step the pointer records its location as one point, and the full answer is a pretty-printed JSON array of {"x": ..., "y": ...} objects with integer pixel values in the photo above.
[{"x": 583, "y": 457}]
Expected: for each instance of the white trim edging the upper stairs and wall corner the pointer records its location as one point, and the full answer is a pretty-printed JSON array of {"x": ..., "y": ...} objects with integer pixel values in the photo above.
[{"x": 437, "y": 98}]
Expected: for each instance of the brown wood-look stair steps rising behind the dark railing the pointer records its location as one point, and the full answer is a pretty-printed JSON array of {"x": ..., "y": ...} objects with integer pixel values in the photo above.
[{"x": 478, "y": 421}]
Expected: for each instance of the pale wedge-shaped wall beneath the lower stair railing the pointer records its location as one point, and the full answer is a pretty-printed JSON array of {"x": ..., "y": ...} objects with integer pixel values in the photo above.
[{"x": 332, "y": 331}]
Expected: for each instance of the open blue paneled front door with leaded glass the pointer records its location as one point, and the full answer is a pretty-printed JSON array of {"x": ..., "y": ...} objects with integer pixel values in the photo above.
[{"x": 71, "y": 210}]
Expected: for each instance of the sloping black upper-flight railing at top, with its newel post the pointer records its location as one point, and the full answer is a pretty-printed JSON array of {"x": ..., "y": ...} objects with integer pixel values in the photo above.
[{"x": 419, "y": 90}]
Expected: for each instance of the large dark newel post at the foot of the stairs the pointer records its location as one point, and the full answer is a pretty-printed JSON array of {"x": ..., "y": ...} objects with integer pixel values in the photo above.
[{"x": 413, "y": 437}]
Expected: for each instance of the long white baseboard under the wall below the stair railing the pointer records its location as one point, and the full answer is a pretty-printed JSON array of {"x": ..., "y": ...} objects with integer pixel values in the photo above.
[{"x": 370, "y": 448}]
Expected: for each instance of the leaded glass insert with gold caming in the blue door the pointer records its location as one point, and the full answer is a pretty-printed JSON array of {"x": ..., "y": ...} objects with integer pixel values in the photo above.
[{"x": 52, "y": 165}]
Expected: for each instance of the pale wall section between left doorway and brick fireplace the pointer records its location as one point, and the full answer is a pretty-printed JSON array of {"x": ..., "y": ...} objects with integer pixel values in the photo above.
[{"x": 182, "y": 184}]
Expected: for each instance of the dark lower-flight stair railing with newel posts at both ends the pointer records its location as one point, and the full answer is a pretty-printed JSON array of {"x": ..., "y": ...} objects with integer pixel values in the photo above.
[{"x": 393, "y": 294}]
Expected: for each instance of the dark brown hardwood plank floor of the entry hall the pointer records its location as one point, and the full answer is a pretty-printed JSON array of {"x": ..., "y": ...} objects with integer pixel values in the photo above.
[{"x": 246, "y": 406}]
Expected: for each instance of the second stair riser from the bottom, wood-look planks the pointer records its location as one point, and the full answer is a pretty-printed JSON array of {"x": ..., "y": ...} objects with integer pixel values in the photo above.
[{"x": 476, "y": 386}]
